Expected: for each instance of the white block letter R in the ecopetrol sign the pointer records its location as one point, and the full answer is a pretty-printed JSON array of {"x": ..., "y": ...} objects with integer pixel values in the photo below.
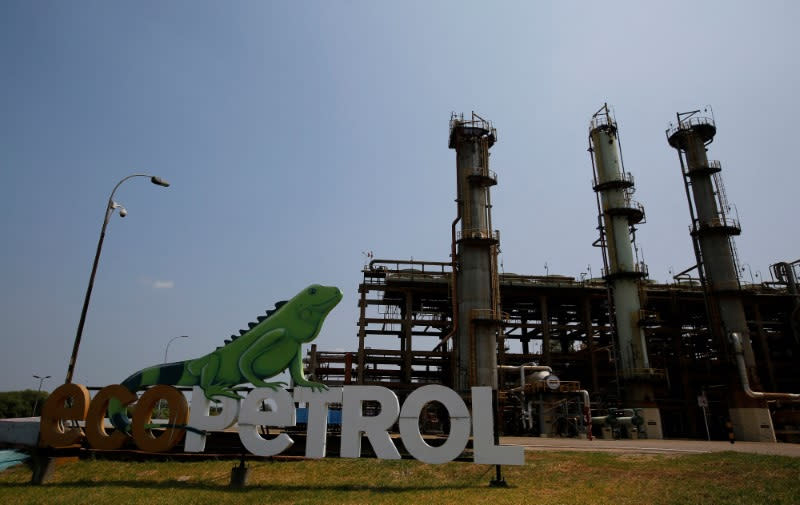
[{"x": 375, "y": 427}]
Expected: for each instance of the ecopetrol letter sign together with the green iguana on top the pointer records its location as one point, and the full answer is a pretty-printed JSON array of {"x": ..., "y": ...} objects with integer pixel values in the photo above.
[{"x": 270, "y": 345}]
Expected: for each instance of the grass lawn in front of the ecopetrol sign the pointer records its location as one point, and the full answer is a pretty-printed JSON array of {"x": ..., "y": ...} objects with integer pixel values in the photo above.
[{"x": 548, "y": 477}]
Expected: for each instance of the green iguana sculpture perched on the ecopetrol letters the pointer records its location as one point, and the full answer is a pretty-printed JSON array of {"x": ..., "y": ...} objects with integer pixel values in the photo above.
[{"x": 267, "y": 348}]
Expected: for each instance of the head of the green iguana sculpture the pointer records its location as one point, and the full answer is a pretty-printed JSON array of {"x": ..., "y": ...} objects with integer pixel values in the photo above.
[{"x": 309, "y": 308}]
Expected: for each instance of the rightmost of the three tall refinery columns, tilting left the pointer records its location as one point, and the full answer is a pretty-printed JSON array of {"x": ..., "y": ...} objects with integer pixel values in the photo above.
[{"x": 712, "y": 235}]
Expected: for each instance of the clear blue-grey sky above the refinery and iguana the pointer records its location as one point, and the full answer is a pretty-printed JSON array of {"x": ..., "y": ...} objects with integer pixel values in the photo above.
[{"x": 298, "y": 134}]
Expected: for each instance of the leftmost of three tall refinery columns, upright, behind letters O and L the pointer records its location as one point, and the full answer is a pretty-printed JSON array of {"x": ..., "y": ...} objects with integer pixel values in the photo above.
[{"x": 475, "y": 345}]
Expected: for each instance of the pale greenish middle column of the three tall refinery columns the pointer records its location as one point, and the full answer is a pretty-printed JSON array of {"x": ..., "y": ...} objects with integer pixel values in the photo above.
[{"x": 623, "y": 273}]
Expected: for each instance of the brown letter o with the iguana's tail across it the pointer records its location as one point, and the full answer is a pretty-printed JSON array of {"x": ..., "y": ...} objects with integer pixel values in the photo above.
[{"x": 178, "y": 415}]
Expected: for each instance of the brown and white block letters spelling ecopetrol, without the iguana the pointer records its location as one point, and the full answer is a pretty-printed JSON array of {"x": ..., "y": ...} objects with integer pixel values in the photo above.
[{"x": 276, "y": 408}]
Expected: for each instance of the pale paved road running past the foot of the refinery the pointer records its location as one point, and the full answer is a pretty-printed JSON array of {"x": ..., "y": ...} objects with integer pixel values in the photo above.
[{"x": 650, "y": 446}]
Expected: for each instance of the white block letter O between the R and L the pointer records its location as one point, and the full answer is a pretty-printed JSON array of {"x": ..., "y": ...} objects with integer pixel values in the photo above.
[{"x": 459, "y": 424}]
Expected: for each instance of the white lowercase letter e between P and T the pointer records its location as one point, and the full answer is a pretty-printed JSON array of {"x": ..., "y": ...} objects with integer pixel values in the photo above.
[{"x": 281, "y": 414}]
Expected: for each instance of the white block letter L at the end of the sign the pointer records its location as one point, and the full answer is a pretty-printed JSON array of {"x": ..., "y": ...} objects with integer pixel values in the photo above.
[{"x": 483, "y": 433}]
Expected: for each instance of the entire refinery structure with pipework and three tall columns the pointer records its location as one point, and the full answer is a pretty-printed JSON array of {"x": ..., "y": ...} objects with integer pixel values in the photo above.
[{"x": 619, "y": 354}]
